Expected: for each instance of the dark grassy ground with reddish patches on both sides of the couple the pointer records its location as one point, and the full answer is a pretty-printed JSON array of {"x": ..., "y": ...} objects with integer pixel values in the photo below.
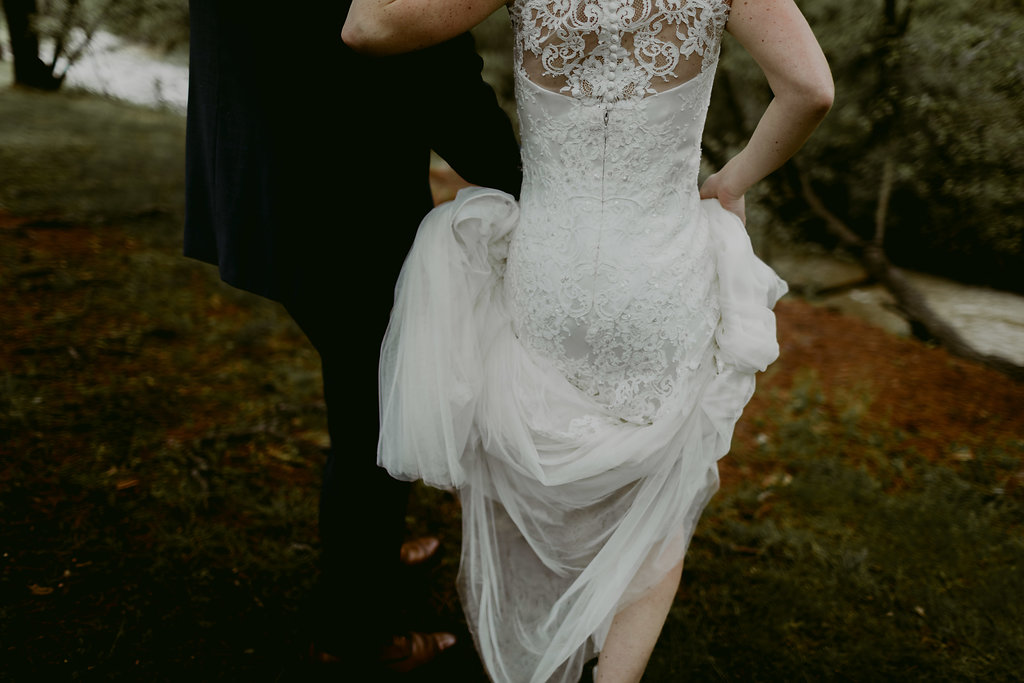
[{"x": 161, "y": 437}]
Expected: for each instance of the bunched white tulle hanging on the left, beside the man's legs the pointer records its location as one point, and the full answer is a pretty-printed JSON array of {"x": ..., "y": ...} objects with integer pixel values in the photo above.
[{"x": 432, "y": 368}]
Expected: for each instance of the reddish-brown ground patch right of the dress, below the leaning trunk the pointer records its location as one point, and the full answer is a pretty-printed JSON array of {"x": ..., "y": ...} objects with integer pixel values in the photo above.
[{"x": 943, "y": 407}]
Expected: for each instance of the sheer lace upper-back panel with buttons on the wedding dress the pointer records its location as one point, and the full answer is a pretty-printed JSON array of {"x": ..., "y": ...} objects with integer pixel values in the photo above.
[{"x": 615, "y": 50}]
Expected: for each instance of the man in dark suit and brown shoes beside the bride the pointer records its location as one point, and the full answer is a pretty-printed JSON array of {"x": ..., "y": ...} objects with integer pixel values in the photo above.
[{"x": 307, "y": 178}]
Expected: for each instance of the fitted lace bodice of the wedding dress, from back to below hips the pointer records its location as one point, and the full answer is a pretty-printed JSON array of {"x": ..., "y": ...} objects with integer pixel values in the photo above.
[{"x": 610, "y": 275}]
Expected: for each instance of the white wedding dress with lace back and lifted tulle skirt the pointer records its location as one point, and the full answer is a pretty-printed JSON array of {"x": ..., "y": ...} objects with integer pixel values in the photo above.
[{"x": 575, "y": 364}]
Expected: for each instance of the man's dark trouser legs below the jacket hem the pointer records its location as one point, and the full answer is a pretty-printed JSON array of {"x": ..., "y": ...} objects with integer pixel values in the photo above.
[{"x": 362, "y": 507}]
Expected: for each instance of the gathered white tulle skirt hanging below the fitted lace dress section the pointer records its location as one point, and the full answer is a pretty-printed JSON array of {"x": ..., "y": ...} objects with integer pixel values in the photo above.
[{"x": 570, "y": 513}]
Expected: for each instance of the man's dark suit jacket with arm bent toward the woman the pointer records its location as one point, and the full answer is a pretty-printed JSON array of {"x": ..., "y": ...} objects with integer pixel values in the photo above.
[{"x": 308, "y": 164}]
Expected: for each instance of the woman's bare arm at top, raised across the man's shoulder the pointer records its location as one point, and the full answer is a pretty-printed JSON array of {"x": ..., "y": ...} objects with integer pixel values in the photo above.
[{"x": 391, "y": 27}]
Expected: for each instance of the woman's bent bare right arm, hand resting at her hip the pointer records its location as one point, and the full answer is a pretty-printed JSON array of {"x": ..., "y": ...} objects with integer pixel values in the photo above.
[{"x": 779, "y": 38}]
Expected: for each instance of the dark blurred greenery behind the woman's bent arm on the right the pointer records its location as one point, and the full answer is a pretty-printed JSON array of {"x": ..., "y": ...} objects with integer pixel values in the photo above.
[{"x": 936, "y": 89}]
